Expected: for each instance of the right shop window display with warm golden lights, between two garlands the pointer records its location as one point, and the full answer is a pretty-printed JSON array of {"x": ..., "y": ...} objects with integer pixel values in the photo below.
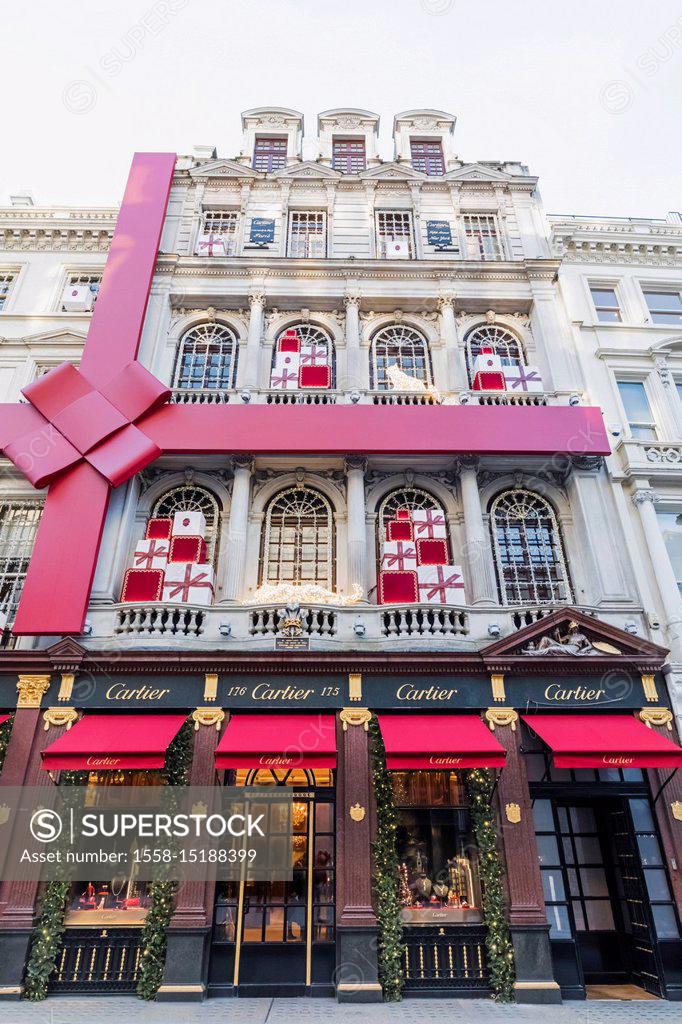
[{"x": 440, "y": 879}]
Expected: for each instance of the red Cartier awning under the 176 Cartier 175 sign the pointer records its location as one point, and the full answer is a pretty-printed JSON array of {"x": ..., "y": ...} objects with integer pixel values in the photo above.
[{"x": 278, "y": 742}]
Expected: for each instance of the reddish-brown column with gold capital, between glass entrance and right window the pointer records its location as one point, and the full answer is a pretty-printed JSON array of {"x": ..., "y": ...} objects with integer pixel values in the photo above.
[{"x": 357, "y": 970}]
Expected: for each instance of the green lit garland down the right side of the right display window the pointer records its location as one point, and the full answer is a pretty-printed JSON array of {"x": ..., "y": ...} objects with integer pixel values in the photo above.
[{"x": 480, "y": 783}]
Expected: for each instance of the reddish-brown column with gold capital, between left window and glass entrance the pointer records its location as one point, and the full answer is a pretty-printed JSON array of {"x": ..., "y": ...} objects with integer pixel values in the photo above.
[{"x": 190, "y": 930}]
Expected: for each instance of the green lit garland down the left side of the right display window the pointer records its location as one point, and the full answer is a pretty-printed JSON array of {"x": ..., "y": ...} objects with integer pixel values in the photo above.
[{"x": 387, "y": 882}]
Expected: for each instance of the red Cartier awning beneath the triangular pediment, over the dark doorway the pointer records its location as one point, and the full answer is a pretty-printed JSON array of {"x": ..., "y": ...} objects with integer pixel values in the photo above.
[{"x": 605, "y": 742}]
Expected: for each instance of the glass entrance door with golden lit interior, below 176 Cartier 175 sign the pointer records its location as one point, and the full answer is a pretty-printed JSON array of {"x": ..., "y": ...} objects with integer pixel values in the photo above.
[{"x": 278, "y": 937}]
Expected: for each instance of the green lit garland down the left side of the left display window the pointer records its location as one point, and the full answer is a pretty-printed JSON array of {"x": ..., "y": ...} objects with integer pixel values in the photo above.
[{"x": 50, "y": 927}]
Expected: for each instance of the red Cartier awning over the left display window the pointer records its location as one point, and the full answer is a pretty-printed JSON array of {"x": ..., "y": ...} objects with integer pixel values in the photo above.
[{"x": 114, "y": 742}]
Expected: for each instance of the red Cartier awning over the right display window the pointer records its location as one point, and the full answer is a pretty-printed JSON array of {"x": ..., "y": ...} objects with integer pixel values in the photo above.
[{"x": 440, "y": 742}]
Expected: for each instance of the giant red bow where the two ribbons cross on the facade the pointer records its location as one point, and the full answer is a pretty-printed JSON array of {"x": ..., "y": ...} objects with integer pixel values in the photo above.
[{"x": 74, "y": 420}]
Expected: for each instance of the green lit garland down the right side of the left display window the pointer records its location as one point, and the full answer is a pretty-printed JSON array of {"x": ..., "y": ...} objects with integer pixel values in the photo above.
[{"x": 153, "y": 945}]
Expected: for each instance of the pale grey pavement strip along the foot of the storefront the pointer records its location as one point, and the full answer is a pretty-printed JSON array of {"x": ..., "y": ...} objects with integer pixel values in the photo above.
[{"x": 116, "y": 1010}]
